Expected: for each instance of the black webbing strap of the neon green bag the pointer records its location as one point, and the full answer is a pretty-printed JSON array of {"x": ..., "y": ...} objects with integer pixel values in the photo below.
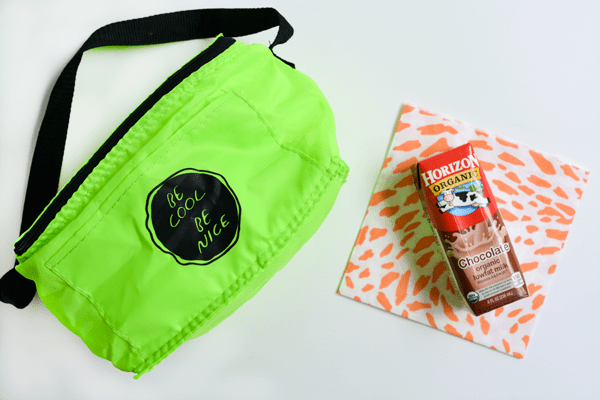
[{"x": 47, "y": 159}]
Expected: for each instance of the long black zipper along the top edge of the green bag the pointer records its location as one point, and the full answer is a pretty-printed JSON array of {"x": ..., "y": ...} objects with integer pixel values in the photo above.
[{"x": 210, "y": 53}]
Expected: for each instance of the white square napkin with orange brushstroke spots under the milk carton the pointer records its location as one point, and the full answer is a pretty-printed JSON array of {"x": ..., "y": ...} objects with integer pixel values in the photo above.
[{"x": 395, "y": 264}]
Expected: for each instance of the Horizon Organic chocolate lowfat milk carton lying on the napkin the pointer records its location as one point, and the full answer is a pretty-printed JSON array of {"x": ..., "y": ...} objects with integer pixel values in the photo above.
[{"x": 469, "y": 229}]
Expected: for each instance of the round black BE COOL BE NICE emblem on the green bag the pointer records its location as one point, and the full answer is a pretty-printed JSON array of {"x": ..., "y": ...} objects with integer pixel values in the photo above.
[{"x": 194, "y": 216}]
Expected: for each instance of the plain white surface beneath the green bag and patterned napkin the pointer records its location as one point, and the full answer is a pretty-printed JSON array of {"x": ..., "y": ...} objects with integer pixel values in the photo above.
[{"x": 528, "y": 70}]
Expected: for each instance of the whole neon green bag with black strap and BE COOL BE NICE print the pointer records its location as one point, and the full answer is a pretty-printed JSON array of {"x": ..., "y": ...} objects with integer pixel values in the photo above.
[{"x": 193, "y": 203}]
